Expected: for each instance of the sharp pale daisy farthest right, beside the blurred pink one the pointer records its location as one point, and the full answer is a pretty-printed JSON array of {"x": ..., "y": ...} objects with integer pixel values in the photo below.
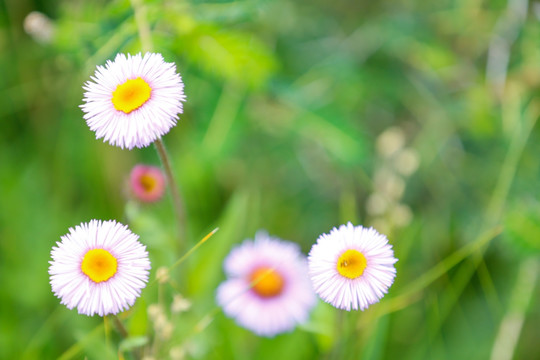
[{"x": 352, "y": 267}]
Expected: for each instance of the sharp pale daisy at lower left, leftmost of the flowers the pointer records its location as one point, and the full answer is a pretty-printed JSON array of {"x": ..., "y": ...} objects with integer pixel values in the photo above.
[{"x": 99, "y": 267}]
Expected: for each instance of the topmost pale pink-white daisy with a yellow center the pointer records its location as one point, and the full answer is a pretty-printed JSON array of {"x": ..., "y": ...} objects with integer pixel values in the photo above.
[{"x": 133, "y": 100}]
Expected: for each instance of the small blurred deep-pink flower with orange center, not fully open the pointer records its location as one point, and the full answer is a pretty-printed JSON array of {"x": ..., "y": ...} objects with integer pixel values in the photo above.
[{"x": 147, "y": 183}]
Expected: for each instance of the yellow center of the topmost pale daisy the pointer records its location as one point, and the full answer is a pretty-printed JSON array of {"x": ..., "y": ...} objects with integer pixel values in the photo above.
[{"x": 131, "y": 95}]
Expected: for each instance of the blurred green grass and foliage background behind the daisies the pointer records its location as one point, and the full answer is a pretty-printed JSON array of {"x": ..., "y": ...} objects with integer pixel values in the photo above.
[{"x": 415, "y": 117}]
